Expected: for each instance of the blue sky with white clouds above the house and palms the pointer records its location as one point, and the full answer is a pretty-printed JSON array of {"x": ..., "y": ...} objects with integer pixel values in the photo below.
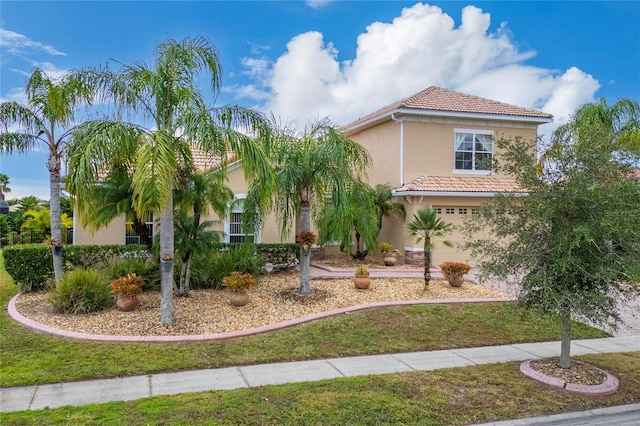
[{"x": 301, "y": 60}]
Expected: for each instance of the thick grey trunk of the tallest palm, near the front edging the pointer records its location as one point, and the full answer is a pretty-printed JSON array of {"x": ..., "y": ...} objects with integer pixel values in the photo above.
[{"x": 166, "y": 277}]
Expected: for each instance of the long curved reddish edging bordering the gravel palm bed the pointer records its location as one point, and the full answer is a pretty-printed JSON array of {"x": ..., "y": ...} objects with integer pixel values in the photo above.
[{"x": 42, "y": 328}]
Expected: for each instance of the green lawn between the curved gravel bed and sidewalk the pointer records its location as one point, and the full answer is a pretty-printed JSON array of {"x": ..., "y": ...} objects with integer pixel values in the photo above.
[{"x": 30, "y": 358}]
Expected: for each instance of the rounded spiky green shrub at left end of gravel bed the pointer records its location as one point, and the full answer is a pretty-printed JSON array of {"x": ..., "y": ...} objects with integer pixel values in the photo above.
[{"x": 81, "y": 291}]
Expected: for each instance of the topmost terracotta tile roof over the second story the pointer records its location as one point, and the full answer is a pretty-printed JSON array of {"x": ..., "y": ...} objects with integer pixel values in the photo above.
[{"x": 438, "y": 99}]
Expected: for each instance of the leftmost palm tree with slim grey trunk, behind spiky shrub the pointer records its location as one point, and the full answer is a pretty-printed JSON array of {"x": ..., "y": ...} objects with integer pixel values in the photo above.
[{"x": 51, "y": 106}]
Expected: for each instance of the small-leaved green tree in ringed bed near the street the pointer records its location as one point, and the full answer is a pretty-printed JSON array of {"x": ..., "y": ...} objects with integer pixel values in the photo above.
[{"x": 572, "y": 244}]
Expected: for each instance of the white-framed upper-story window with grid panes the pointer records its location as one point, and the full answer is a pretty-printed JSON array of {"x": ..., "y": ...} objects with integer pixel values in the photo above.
[{"x": 473, "y": 150}]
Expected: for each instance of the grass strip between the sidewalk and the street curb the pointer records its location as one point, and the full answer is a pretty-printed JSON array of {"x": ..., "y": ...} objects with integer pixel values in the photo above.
[{"x": 455, "y": 396}]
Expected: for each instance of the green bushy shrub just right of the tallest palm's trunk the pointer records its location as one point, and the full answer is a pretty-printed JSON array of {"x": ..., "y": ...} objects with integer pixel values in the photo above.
[{"x": 209, "y": 270}]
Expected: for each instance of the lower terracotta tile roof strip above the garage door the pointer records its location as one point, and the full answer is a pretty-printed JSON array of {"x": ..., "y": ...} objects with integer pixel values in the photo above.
[{"x": 460, "y": 184}]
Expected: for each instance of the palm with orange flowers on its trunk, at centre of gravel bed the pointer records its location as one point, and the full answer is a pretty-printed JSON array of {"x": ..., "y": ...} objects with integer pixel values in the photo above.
[{"x": 310, "y": 169}]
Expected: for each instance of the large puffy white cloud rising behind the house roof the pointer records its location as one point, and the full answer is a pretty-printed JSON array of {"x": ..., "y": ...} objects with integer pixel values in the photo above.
[{"x": 421, "y": 47}]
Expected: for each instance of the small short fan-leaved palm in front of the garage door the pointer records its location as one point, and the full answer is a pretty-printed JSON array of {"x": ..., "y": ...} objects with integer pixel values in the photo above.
[{"x": 425, "y": 226}]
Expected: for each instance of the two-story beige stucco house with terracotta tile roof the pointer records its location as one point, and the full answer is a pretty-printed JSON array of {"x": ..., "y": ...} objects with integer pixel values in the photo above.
[{"x": 434, "y": 148}]
